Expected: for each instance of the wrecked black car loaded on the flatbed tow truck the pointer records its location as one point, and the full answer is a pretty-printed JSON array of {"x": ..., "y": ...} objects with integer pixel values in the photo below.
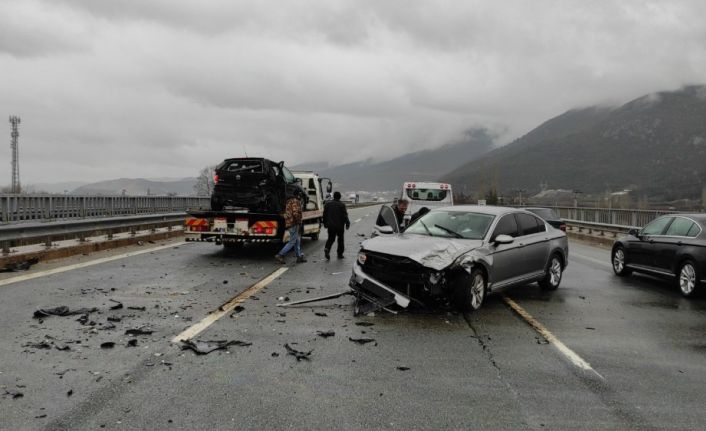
[{"x": 258, "y": 184}]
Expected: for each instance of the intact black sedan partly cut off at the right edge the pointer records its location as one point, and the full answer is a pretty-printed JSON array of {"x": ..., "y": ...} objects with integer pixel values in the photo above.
[{"x": 672, "y": 246}]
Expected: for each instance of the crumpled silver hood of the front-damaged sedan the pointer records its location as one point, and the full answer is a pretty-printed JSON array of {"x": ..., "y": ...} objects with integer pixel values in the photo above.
[{"x": 432, "y": 252}]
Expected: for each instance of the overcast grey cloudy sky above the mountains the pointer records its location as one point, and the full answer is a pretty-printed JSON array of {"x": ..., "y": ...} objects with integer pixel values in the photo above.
[{"x": 161, "y": 88}]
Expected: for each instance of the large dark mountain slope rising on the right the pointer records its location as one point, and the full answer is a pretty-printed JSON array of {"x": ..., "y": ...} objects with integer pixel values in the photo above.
[{"x": 654, "y": 145}]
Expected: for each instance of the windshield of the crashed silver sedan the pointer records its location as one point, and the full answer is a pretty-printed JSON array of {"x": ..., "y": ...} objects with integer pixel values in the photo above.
[{"x": 452, "y": 224}]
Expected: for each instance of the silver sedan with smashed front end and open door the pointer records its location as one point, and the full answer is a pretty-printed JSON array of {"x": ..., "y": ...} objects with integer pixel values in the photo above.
[{"x": 456, "y": 254}]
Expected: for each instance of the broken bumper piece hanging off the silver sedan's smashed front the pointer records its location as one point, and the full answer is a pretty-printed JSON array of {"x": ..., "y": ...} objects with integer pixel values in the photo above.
[{"x": 372, "y": 295}]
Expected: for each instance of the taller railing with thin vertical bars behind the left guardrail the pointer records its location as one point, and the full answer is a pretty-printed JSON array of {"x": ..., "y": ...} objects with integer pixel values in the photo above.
[{"x": 16, "y": 208}]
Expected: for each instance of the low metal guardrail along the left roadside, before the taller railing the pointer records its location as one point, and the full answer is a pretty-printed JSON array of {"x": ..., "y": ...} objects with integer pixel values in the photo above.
[{"x": 18, "y": 234}]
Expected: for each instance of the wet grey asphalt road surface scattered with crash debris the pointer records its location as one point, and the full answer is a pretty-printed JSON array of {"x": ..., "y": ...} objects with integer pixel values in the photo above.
[{"x": 488, "y": 370}]
